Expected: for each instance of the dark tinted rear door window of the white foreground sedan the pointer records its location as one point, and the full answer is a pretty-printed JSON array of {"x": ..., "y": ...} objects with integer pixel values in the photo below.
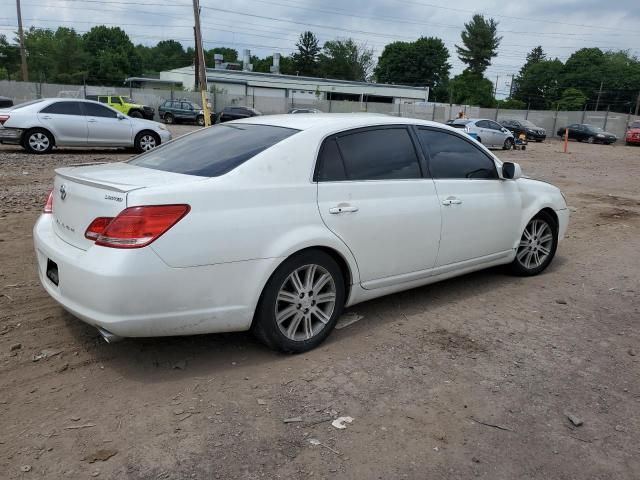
[{"x": 379, "y": 154}]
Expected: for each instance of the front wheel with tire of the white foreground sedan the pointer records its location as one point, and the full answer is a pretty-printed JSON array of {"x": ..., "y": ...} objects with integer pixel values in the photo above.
[{"x": 537, "y": 245}]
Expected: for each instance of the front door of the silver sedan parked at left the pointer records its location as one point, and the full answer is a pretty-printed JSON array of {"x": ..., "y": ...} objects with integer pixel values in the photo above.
[{"x": 107, "y": 127}]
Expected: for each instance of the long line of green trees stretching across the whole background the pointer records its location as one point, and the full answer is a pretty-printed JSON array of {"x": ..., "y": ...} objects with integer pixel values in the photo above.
[{"x": 106, "y": 56}]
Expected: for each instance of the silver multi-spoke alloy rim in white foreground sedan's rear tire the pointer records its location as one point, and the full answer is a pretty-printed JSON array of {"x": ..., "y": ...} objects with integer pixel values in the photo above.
[{"x": 305, "y": 302}]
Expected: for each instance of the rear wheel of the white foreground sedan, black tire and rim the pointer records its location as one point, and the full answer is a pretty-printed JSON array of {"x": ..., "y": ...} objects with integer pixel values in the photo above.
[{"x": 301, "y": 303}]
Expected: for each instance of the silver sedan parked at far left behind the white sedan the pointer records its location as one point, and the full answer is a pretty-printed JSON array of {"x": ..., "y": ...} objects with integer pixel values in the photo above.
[{"x": 40, "y": 125}]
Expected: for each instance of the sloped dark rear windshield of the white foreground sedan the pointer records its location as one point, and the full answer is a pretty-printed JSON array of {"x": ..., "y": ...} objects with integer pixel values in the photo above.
[{"x": 213, "y": 151}]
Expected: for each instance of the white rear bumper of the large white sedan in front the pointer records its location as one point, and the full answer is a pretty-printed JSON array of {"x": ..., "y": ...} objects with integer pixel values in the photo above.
[{"x": 133, "y": 293}]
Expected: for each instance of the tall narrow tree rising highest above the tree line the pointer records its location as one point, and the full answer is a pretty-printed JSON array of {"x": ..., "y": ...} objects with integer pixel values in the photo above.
[{"x": 480, "y": 43}]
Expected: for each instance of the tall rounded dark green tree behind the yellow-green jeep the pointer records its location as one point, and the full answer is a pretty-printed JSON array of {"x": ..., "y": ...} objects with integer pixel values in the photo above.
[{"x": 112, "y": 56}]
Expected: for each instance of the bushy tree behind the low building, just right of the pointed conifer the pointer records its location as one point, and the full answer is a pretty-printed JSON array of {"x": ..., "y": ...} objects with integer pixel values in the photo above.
[{"x": 345, "y": 60}]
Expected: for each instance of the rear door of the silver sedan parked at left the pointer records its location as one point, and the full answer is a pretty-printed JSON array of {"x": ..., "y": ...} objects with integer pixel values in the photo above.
[{"x": 66, "y": 121}]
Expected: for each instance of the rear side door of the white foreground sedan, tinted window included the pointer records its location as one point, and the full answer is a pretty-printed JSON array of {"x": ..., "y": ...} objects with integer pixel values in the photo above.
[{"x": 373, "y": 196}]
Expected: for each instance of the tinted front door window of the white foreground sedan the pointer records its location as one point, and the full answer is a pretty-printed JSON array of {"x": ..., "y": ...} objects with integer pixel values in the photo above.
[{"x": 451, "y": 156}]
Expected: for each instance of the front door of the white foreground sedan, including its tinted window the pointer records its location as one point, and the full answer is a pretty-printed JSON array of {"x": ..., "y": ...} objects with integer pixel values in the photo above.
[{"x": 480, "y": 212}]
